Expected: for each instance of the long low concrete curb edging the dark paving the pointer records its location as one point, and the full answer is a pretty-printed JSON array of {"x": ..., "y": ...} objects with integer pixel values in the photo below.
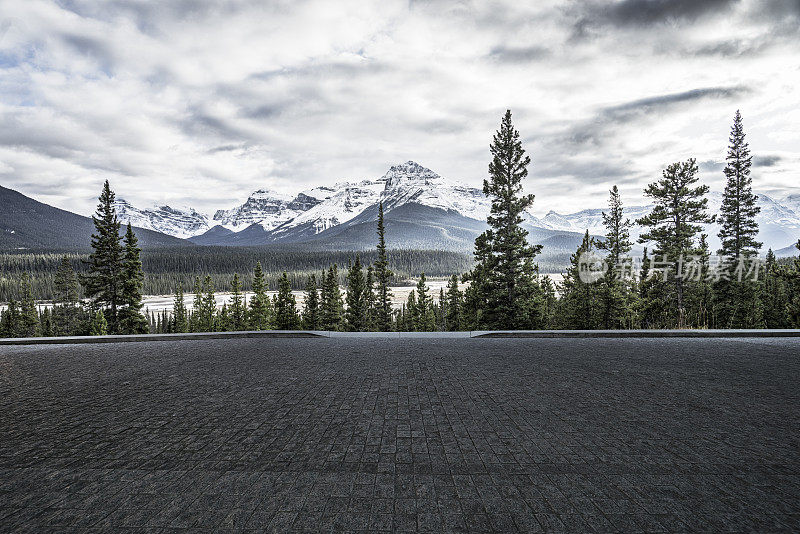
[{"x": 542, "y": 334}]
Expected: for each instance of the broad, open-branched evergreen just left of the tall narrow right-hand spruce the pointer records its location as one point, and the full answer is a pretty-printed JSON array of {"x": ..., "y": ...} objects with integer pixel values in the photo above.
[{"x": 679, "y": 210}]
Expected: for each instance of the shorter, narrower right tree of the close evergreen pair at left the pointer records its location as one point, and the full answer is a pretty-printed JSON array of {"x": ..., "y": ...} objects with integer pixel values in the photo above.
[{"x": 131, "y": 320}]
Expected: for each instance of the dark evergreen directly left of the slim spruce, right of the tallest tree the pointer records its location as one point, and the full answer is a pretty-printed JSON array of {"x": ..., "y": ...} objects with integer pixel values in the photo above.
[{"x": 579, "y": 298}]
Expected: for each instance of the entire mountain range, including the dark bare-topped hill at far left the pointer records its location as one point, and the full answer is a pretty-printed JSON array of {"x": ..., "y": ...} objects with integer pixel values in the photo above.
[{"x": 422, "y": 210}]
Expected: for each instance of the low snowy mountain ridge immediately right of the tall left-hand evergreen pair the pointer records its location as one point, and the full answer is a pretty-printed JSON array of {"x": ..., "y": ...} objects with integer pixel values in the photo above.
[{"x": 177, "y": 222}]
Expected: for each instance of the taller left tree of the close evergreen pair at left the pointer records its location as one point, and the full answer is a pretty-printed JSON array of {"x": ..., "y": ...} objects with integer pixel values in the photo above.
[{"x": 103, "y": 283}]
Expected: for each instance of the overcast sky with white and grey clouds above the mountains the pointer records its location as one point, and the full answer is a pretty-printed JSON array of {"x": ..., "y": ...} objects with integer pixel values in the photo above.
[{"x": 200, "y": 102}]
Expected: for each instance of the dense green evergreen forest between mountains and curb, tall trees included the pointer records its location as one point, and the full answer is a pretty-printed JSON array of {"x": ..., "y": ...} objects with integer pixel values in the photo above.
[{"x": 677, "y": 283}]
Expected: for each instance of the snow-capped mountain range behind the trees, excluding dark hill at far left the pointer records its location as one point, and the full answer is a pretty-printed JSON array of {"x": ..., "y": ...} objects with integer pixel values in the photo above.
[{"x": 422, "y": 209}]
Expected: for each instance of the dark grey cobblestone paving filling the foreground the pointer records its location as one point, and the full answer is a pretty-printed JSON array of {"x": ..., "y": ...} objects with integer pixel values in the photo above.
[{"x": 460, "y": 435}]
